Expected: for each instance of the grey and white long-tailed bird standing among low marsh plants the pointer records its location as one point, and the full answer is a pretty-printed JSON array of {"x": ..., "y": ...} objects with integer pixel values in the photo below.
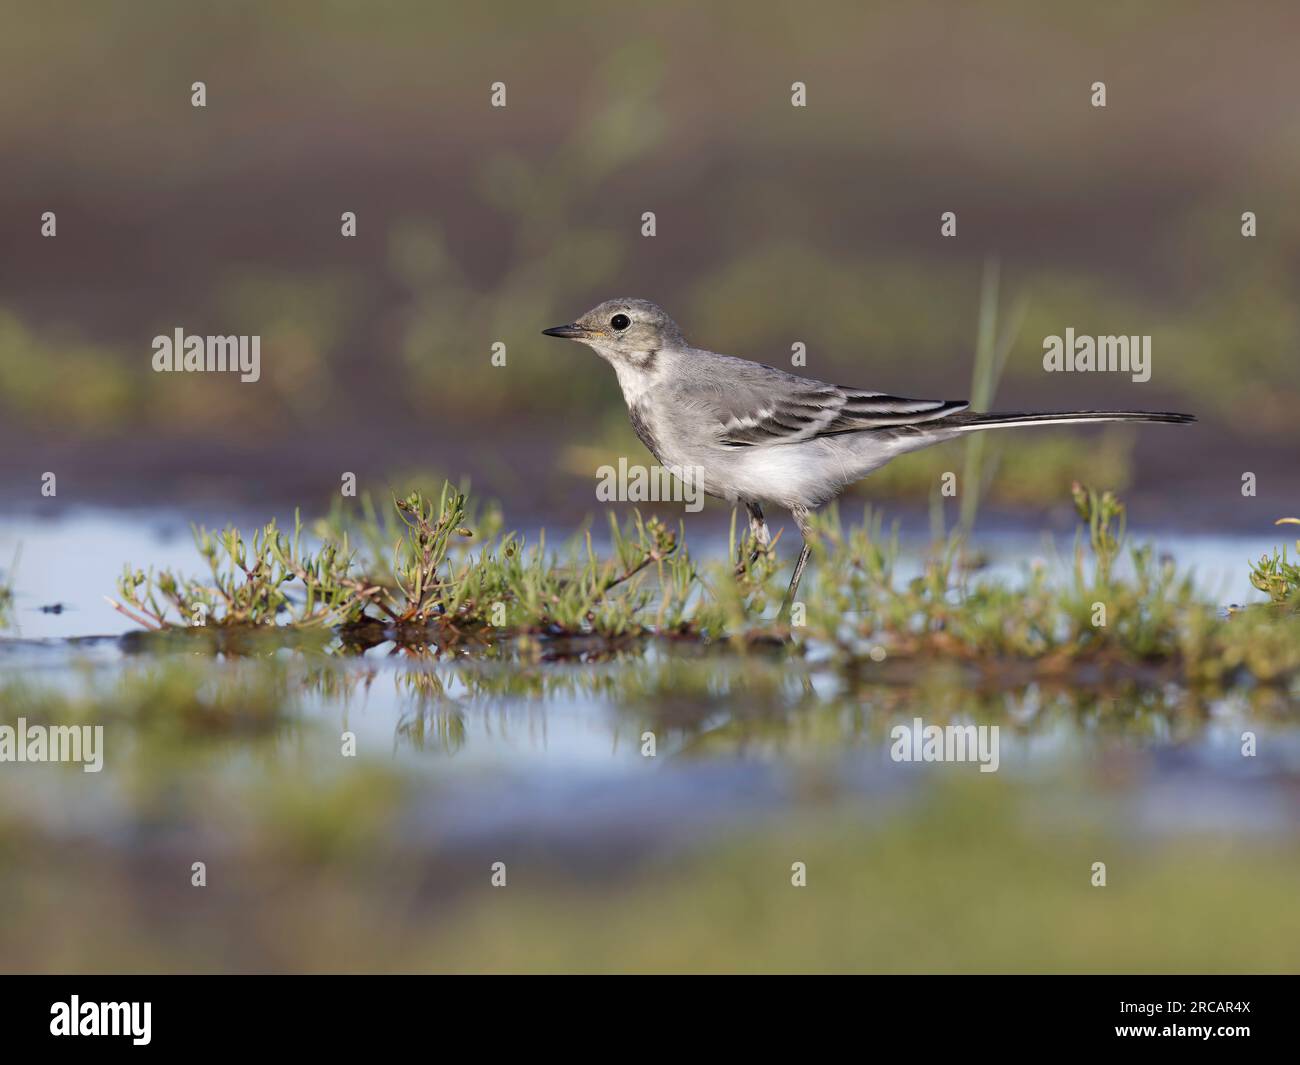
[{"x": 756, "y": 435}]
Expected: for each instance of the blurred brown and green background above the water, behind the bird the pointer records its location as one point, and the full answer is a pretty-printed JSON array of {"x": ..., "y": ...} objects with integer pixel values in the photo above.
[{"x": 775, "y": 224}]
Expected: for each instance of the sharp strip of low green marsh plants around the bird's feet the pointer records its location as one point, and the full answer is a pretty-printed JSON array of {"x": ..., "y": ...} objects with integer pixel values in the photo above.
[{"x": 443, "y": 582}]
